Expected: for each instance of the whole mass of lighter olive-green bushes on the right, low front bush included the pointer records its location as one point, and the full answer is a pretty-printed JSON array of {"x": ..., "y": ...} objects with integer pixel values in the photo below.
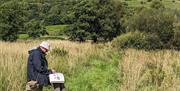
[{"x": 156, "y": 27}]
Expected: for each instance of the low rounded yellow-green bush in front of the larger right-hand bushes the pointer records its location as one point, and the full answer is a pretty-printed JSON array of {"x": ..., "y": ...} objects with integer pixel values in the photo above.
[{"x": 139, "y": 40}]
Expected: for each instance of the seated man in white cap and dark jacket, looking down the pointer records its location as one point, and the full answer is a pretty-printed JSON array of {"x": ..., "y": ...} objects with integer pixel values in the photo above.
[{"x": 37, "y": 68}]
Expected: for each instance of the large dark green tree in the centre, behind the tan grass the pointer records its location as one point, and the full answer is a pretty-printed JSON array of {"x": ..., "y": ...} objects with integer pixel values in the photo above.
[{"x": 97, "y": 19}]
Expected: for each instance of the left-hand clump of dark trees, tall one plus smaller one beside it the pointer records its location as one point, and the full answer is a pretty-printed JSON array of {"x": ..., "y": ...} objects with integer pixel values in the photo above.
[{"x": 16, "y": 18}]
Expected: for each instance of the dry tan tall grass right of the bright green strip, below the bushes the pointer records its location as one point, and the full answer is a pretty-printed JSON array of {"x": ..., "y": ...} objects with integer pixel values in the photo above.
[{"x": 151, "y": 71}]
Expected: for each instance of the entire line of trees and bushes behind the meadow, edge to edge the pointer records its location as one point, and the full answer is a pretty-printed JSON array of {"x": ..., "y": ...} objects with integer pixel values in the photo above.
[{"x": 153, "y": 27}]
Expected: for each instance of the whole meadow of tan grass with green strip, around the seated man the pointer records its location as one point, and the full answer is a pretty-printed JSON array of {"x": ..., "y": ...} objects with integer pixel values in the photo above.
[{"x": 94, "y": 67}]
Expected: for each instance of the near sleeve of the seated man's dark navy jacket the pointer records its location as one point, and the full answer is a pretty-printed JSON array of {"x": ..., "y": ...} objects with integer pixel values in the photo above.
[{"x": 37, "y": 64}]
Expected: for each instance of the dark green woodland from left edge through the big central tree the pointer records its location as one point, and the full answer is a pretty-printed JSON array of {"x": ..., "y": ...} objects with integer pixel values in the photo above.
[{"x": 93, "y": 19}]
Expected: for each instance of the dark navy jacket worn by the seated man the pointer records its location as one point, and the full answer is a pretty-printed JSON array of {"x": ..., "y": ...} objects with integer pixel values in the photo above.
[{"x": 37, "y": 68}]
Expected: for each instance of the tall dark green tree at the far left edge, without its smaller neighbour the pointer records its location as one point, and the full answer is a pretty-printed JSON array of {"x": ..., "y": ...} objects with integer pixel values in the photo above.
[{"x": 12, "y": 18}]
